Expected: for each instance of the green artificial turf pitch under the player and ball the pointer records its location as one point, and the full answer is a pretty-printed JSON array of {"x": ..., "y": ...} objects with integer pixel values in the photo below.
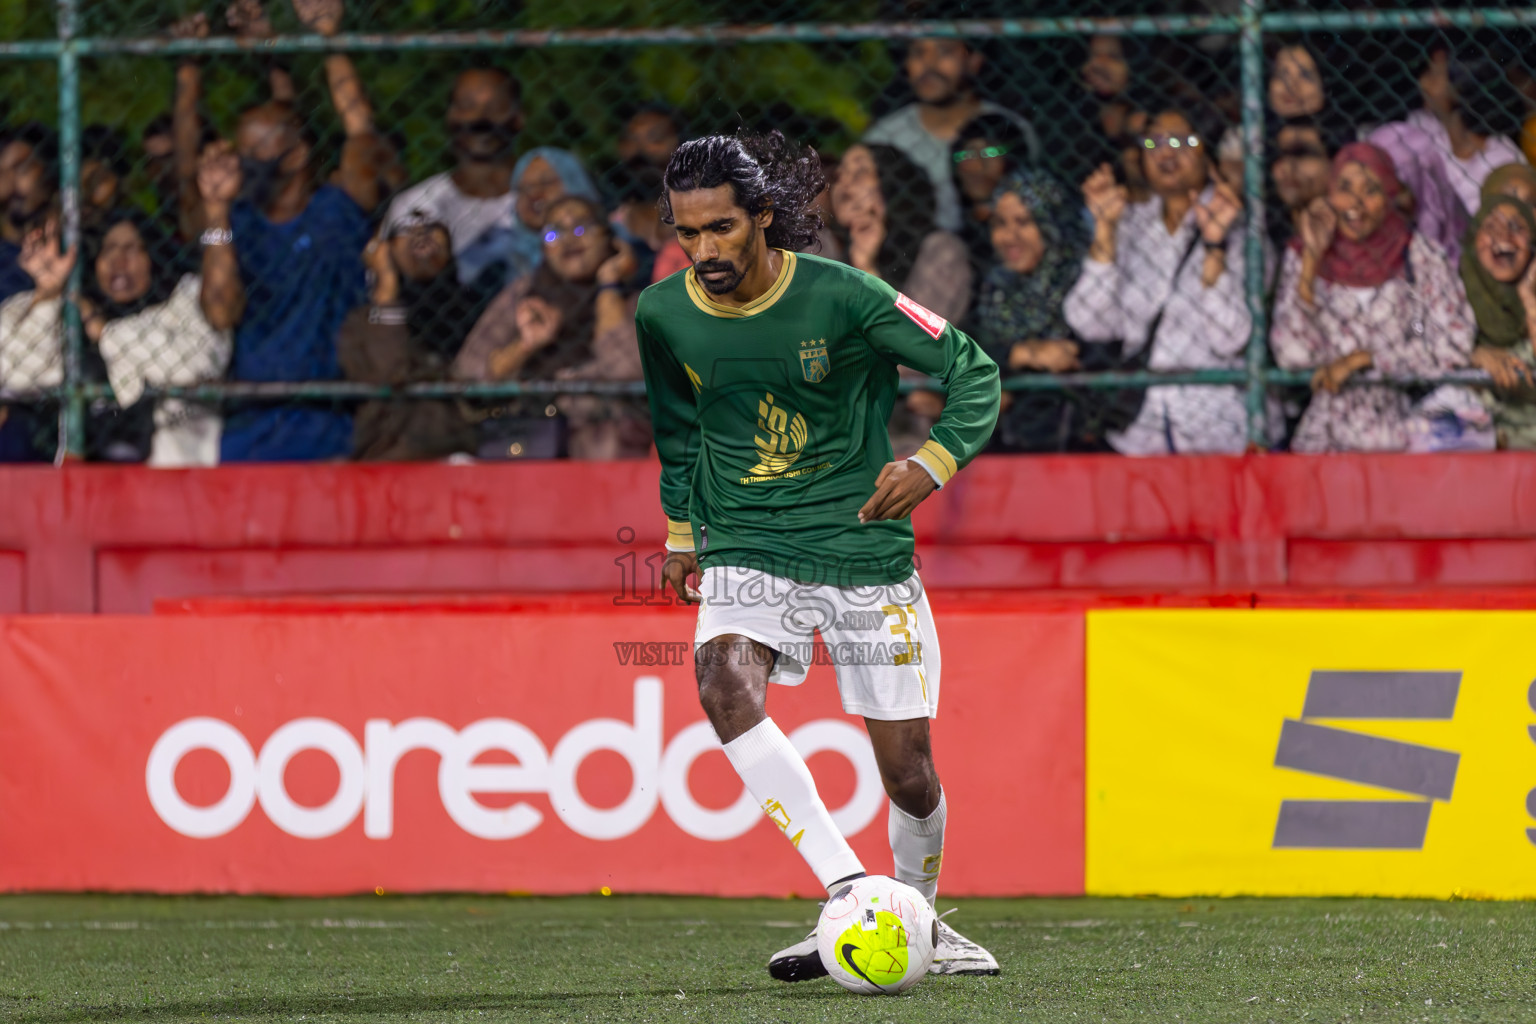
[{"x": 664, "y": 959}]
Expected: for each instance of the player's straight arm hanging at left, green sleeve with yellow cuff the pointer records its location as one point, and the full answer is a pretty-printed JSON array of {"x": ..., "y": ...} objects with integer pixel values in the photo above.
[{"x": 675, "y": 424}]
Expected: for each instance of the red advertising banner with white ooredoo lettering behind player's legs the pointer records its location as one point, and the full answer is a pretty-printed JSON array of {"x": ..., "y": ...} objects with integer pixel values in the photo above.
[{"x": 543, "y": 751}]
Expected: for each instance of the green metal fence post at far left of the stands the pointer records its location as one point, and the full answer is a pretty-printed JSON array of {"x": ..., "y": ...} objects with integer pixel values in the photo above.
[{"x": 73, "y": 401}]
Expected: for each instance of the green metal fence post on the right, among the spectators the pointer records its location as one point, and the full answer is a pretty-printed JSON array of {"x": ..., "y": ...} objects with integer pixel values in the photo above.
[{"x": 1253, "y": 51}]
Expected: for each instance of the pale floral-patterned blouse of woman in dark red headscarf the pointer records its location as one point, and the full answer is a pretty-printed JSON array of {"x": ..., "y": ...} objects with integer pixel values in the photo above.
[{"x": 1415, "y": 328}]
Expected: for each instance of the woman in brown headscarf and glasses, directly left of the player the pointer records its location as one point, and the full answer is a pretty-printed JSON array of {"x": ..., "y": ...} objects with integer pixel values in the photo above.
[{"x": 571, "y": 320}]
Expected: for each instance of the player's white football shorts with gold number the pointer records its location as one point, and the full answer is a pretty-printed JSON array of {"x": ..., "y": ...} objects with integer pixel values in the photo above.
[{"x": 881, "y": 641}]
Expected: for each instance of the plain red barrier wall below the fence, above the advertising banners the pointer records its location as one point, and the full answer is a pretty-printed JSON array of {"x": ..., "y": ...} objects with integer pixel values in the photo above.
[{"x": 116, "y": 540}]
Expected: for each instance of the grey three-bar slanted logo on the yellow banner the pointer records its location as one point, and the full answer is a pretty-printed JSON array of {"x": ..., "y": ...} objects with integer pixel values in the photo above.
[{"x": 1426, "y": 773}]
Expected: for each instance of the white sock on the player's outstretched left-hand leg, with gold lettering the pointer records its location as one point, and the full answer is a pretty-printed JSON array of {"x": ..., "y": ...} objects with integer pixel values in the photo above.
[{"x": 776, "y": 776}]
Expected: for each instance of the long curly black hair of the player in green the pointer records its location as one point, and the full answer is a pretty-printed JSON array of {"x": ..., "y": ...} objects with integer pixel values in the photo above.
[{"x": 766, "y": 173}]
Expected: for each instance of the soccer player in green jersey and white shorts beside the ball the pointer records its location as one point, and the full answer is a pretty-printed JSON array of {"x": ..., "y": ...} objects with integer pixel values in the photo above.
[{"x": 772, "y": 377}]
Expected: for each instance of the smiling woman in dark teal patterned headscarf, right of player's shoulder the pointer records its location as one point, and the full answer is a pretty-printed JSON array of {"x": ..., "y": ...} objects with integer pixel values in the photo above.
[{"x": 1039, "y": 239}]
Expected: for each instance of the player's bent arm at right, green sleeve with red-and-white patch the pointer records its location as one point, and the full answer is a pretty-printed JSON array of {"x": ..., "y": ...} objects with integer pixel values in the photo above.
[{"x": 905, "y": 332}]
